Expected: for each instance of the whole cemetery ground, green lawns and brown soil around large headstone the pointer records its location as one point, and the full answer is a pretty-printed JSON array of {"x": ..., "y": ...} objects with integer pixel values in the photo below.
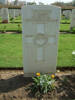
[{"x": 13, "y": 84}]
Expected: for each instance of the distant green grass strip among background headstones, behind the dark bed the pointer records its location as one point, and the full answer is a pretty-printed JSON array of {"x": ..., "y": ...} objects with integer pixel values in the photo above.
[{"x": 15, "y": 25}]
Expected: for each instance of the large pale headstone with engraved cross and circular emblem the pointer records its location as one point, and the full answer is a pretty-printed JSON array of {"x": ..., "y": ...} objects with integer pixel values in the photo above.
[{"x": 40, "y": 38}]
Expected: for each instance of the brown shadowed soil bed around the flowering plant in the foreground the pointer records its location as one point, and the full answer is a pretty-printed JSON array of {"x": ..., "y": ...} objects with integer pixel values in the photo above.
[{"x": 13, "y": 86}]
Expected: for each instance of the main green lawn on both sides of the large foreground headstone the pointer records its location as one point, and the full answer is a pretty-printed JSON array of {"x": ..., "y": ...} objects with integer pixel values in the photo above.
[{"x": 11, "y": 50}]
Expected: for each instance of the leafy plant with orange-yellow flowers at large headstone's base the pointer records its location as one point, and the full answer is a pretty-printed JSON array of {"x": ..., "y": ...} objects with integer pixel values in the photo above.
[{"x": 42, "y": 84}]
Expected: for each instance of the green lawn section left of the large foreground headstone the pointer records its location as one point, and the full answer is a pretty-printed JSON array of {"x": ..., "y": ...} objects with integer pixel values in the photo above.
[{"x": 10, "y": 50}]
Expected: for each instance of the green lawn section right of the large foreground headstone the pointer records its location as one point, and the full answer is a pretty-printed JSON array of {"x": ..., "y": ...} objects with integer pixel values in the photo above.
[{"x": 66, "y": 46}]
